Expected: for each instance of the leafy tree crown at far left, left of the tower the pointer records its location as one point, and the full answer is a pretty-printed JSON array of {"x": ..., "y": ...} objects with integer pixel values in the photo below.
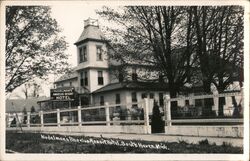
[{"x": 34, "y": 47}]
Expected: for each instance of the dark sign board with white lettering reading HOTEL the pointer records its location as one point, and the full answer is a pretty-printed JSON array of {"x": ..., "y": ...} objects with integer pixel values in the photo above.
[{"x": 63, "y": 94}]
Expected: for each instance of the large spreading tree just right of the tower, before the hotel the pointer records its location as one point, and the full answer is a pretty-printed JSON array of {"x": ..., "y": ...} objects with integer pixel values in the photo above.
[{"x": 156, "y": 37}]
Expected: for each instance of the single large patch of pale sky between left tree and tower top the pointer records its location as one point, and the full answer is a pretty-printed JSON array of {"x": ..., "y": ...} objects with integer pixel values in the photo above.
[{"x": 71, "y": 20}]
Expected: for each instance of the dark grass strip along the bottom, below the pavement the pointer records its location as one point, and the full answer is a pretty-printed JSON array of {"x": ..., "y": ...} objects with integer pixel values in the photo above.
[{"x": 33, "y": 143}]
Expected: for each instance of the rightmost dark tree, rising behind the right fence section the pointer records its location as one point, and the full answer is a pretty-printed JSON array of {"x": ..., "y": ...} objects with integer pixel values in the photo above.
[{"x": 219, "y": 32}]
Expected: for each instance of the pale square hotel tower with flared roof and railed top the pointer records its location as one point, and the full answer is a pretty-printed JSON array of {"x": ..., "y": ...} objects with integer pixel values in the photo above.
[{"x": 92, "y": 60}]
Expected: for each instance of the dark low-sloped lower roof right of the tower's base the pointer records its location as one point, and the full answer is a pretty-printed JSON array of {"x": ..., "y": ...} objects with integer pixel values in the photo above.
[{"x": 133, "y": 85}]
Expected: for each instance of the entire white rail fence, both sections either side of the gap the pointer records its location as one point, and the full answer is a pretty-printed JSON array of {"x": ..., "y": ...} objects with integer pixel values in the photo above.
[{"x": 109, "y": 118}]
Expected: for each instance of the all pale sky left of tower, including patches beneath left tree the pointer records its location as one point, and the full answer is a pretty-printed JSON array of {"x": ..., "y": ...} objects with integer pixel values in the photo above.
[{"x": 70, "y": 18}]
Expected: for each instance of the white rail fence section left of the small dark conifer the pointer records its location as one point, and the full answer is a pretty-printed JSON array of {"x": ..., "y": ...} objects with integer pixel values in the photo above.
[{"x": 70, "y": 119}]
